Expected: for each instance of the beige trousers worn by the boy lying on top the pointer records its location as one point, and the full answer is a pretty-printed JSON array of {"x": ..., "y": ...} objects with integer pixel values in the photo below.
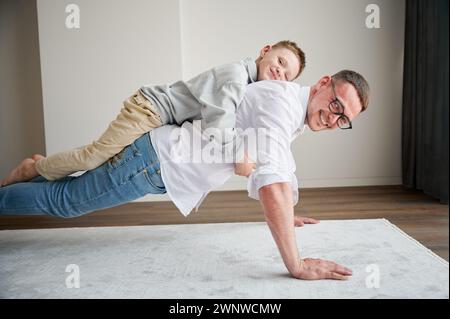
[{"x": 138, "y": 116}]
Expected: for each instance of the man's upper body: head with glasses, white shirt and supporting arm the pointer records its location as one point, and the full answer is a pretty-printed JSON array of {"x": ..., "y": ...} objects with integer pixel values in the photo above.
[{"x": 280, "y": 110}]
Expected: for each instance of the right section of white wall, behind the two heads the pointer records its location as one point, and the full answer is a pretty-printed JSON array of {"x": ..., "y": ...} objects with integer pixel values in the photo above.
[{"x": 334, "y": 37}]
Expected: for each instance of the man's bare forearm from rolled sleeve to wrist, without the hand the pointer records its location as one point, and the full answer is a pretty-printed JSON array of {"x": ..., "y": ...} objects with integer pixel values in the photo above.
[{"x": 276, "y": 200}]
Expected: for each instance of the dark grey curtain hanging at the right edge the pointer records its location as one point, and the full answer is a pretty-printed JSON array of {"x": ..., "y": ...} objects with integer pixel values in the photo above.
[{"x": 425, "y": 98}]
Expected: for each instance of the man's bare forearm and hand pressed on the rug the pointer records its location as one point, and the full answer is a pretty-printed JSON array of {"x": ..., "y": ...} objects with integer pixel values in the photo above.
[{"x": 276, "y": 200}]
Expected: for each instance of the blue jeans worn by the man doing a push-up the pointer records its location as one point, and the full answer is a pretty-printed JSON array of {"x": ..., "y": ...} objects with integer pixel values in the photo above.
[{"x": 129, "y": 175}]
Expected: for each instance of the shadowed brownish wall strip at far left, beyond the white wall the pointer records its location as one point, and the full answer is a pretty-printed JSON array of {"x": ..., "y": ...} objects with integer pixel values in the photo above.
[{"x": 21, "y": 115}]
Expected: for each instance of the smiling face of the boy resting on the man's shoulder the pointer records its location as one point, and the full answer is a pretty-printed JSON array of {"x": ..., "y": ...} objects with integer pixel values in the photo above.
[{"x": 277, "y": 64}]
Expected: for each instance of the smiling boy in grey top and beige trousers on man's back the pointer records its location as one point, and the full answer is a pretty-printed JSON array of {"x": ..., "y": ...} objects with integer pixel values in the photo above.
[{"x": 211, "y": 96}]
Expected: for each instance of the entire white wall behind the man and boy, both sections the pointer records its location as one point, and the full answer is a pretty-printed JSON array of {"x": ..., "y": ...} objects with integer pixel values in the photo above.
[{"x": 124, "y": 44}]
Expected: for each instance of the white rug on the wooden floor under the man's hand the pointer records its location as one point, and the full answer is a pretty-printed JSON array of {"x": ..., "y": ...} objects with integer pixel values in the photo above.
[{"x": 231, "y": 260}]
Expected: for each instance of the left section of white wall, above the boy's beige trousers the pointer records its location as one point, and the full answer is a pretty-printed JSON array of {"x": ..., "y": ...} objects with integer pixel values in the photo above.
[{"x": 88, "y": 72}]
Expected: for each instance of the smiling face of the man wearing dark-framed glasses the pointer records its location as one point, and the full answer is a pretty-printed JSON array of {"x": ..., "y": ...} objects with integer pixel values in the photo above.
[{"x": 319, "y": 116}]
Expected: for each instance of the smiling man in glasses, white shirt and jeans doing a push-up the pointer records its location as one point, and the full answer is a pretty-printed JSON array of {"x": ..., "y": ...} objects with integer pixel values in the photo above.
[{"x": 278, "y": 110}]
